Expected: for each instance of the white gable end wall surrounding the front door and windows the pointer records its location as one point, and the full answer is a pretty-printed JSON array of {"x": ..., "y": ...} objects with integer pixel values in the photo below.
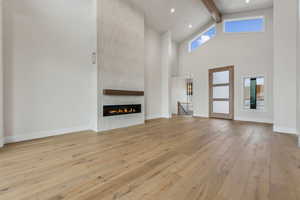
[{"x": 250, "y": 53}]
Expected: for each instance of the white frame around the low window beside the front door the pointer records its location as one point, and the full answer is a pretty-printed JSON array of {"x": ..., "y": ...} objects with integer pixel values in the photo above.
[{"x": 264, "y": 110}]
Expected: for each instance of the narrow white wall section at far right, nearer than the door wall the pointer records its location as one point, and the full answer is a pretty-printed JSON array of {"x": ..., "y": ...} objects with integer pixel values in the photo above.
[{"x": 285, "y": 61}]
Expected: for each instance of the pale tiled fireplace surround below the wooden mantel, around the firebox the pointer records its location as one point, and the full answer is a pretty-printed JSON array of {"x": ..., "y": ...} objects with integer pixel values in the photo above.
[{"x": 121, "y": 121}]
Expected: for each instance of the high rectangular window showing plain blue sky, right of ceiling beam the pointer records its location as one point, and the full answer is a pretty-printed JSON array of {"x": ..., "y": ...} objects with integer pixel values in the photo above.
[{"x": 254, "y": 24}]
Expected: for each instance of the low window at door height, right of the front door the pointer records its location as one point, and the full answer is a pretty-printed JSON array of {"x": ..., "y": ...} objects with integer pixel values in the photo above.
[{"x": 254, "y": 93}]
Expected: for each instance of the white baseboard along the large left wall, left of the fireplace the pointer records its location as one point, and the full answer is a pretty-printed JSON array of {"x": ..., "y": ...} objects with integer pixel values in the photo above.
[{"x": 43, "y": 134}]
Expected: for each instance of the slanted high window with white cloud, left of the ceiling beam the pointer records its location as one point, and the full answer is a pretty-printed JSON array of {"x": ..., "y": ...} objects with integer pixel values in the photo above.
[{"x": 202, "y": 38}]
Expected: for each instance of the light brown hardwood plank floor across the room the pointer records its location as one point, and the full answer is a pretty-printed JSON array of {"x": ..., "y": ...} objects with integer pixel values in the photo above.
[{"x": 178, "y": 159}]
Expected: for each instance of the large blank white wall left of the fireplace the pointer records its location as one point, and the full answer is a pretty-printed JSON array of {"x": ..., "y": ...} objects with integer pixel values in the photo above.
[{"x": 50, "y": 82}]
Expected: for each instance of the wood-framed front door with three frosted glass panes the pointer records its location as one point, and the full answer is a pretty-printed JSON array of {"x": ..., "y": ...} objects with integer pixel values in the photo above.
[{"x": 221, "y": 92}]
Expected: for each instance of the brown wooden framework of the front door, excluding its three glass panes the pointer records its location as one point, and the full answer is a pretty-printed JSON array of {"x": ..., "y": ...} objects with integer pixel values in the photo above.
[{"x": 231, "y": 92}]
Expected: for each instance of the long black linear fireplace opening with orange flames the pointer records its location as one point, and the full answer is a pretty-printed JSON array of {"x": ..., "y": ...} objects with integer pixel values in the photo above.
[{"x": 113, "y": 110}]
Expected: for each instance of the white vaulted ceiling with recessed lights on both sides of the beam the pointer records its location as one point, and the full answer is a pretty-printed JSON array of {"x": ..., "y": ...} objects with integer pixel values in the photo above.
[{"x": 158, "y": 16}]
